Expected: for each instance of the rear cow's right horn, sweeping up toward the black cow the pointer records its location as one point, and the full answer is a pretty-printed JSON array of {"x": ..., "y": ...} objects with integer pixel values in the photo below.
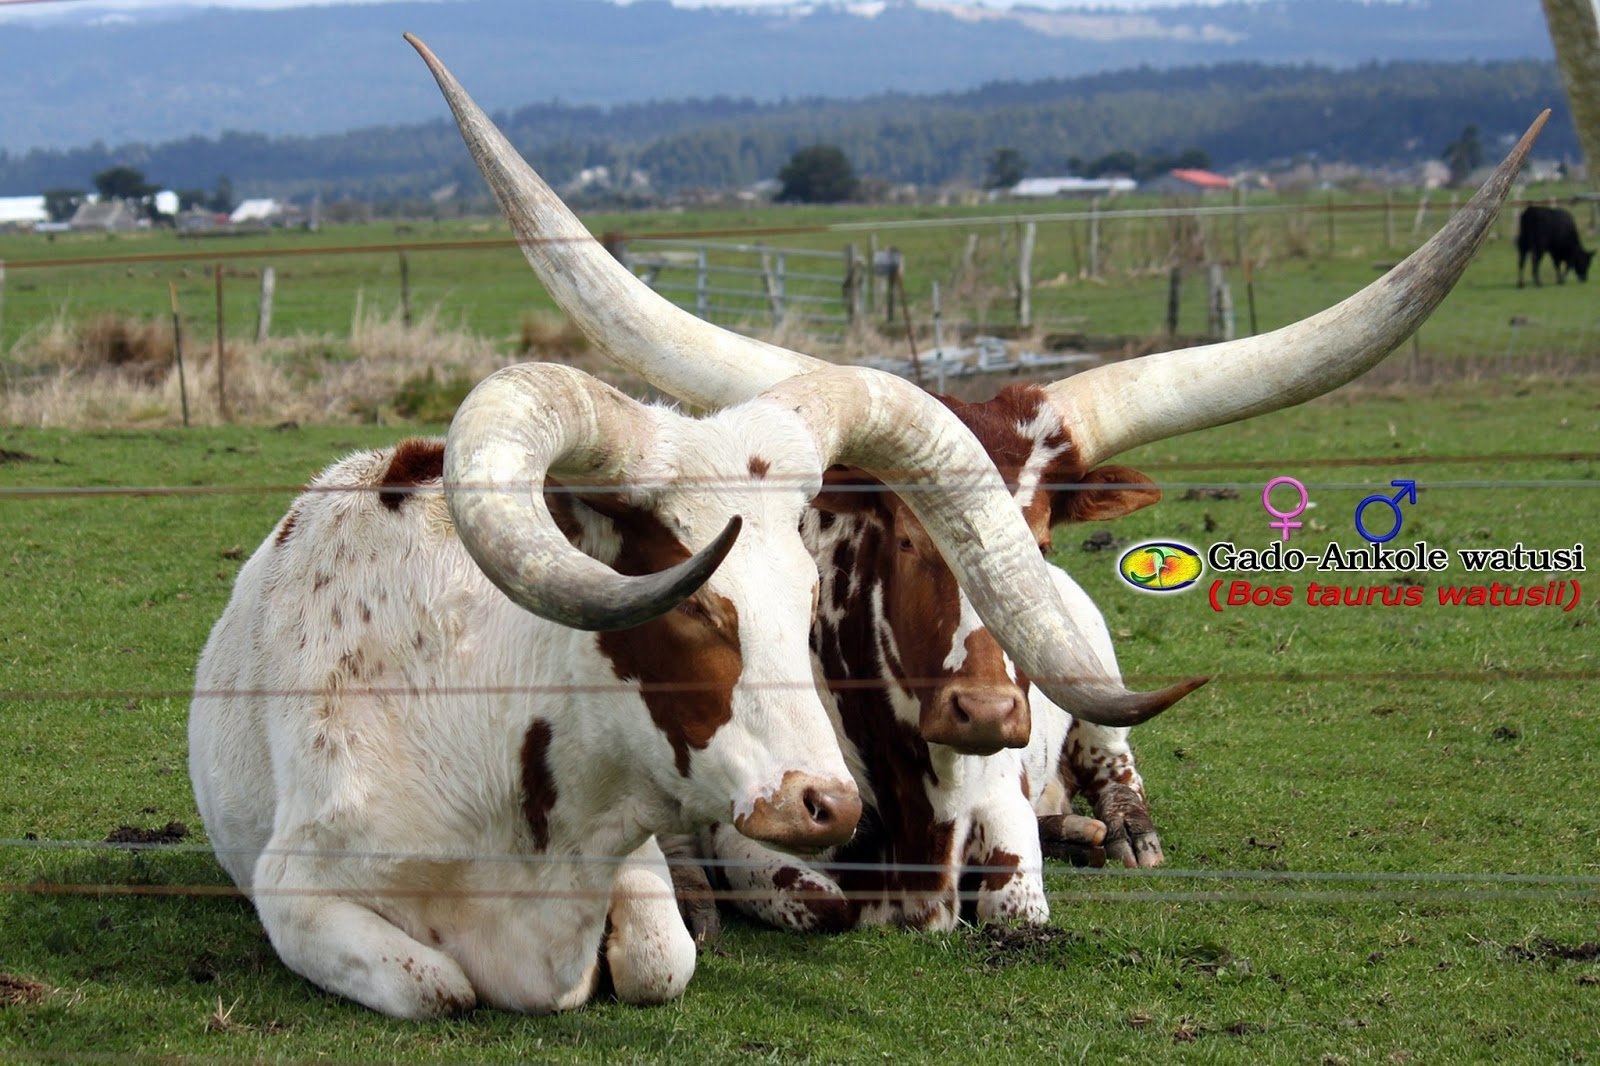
[{"x": 1122, "y": 406}]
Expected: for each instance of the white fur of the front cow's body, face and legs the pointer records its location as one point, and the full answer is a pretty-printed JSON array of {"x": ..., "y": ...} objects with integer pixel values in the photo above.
[{"x": 362, "y": 707}]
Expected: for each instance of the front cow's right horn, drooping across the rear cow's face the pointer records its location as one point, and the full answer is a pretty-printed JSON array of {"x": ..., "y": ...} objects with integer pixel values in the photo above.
[{"x": 894, "y": 430}]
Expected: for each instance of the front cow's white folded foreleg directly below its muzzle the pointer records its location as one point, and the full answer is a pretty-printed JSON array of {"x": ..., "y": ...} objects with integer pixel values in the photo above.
[{"x": 649, "y": 952}]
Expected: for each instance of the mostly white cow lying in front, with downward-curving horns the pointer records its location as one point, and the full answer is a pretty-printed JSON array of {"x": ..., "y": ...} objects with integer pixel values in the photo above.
[{"x": 462, "y": 684}]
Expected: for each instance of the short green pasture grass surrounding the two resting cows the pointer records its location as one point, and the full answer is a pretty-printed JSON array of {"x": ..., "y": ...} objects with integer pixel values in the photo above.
[{"x": 1382, "y": 824}]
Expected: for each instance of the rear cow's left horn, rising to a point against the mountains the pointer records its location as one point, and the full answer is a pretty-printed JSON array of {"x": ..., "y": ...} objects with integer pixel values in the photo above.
[{"x": 689, "y": 358}]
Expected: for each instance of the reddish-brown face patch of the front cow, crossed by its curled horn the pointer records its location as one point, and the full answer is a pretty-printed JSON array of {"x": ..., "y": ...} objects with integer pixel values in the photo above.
[{"x": 689, "y": 660}]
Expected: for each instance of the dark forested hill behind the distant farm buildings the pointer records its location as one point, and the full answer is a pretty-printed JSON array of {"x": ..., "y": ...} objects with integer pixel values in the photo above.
[{"x": 1236, "y": 113}]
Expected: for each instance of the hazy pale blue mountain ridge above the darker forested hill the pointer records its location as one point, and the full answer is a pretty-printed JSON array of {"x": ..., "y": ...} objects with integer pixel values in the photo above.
[{"x": 337, "y": 68}]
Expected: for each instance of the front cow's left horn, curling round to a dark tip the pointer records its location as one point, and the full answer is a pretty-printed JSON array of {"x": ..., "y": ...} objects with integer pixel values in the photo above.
[{"x": 521, "y": 425}]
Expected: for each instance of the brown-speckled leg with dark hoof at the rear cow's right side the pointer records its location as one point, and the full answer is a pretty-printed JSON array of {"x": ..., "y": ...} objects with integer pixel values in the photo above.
[{"x": 1100, "y": 763}]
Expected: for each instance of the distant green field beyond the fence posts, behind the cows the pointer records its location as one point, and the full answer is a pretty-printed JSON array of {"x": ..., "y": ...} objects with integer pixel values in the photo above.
[{"x": 1303, "y": 257}]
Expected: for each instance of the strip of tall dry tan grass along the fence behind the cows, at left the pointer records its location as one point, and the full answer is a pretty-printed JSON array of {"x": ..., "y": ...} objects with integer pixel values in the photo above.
[{"x": 113, "y": 372}]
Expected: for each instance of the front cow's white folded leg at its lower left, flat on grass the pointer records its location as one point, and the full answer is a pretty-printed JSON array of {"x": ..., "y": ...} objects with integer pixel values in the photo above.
[{"x": 353, "y": 952}]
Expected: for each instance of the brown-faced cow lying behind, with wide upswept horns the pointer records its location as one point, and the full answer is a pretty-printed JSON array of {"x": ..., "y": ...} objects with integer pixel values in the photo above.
[{"x": 1050, "y": 443}]
